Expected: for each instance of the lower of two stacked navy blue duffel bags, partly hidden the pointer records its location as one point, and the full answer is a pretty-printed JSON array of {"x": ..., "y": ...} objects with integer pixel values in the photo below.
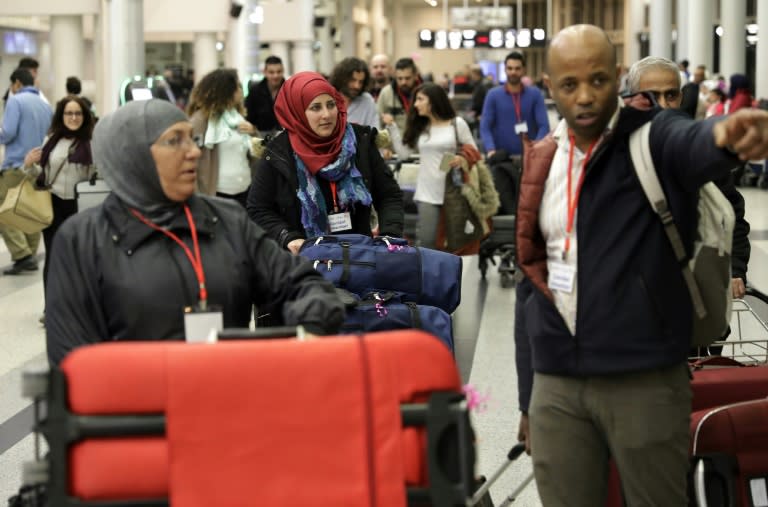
[{"x": 385, "y": 311}]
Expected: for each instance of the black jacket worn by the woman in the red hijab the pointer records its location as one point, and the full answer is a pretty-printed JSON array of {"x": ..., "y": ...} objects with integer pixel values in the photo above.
[{"x": 273, "y": 204}]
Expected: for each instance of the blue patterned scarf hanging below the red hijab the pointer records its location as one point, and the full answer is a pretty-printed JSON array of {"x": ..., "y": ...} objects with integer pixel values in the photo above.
[{"x": 350, "y": 187}]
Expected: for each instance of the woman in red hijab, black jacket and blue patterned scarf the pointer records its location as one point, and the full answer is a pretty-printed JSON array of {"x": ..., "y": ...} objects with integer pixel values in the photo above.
[{"x": 321, "y": 175}]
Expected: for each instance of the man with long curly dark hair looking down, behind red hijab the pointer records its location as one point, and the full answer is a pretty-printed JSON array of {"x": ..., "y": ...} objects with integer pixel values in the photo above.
[{"x": 350, "y": 77}]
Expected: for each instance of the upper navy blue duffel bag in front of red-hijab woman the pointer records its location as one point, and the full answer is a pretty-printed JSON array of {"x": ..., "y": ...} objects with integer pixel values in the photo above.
[{"x": 362, "y": 264}]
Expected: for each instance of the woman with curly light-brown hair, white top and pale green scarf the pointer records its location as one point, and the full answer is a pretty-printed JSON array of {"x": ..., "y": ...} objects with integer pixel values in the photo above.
[{"x": 223, "y": 134}]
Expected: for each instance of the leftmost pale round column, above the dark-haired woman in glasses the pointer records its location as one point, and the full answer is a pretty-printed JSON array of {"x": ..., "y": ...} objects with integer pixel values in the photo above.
[{"x": 67, "y": 52}]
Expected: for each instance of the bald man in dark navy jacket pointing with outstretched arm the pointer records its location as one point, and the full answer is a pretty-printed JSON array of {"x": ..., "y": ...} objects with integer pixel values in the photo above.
[{"x": 609, "y": 317}]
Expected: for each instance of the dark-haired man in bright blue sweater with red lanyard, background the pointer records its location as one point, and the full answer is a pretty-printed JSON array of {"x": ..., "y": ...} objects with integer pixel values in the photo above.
[{"x": 511, "y": 110}]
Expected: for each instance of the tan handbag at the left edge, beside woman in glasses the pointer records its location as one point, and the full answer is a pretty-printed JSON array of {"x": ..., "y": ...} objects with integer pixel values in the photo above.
[{"x": 26, "y": 208}]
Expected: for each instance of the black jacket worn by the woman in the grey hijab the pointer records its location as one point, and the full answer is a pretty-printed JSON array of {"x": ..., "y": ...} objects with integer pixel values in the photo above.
[{"x": 115, "y": 278}]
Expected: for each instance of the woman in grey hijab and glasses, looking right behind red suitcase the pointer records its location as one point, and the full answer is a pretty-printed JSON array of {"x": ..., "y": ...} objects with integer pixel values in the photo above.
[{"x": 126, "y": 270}]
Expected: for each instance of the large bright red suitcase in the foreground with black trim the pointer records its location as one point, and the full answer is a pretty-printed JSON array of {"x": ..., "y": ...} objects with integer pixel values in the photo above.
[{"x": 278, "y": 422}]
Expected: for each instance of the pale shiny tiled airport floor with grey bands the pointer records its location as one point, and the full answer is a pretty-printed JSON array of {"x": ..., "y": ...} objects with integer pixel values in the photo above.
[{"x": 485, "y": 354}]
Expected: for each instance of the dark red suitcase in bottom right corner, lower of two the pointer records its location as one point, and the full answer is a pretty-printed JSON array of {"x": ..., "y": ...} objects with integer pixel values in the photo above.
[{"x": 730, "y": 455}]
